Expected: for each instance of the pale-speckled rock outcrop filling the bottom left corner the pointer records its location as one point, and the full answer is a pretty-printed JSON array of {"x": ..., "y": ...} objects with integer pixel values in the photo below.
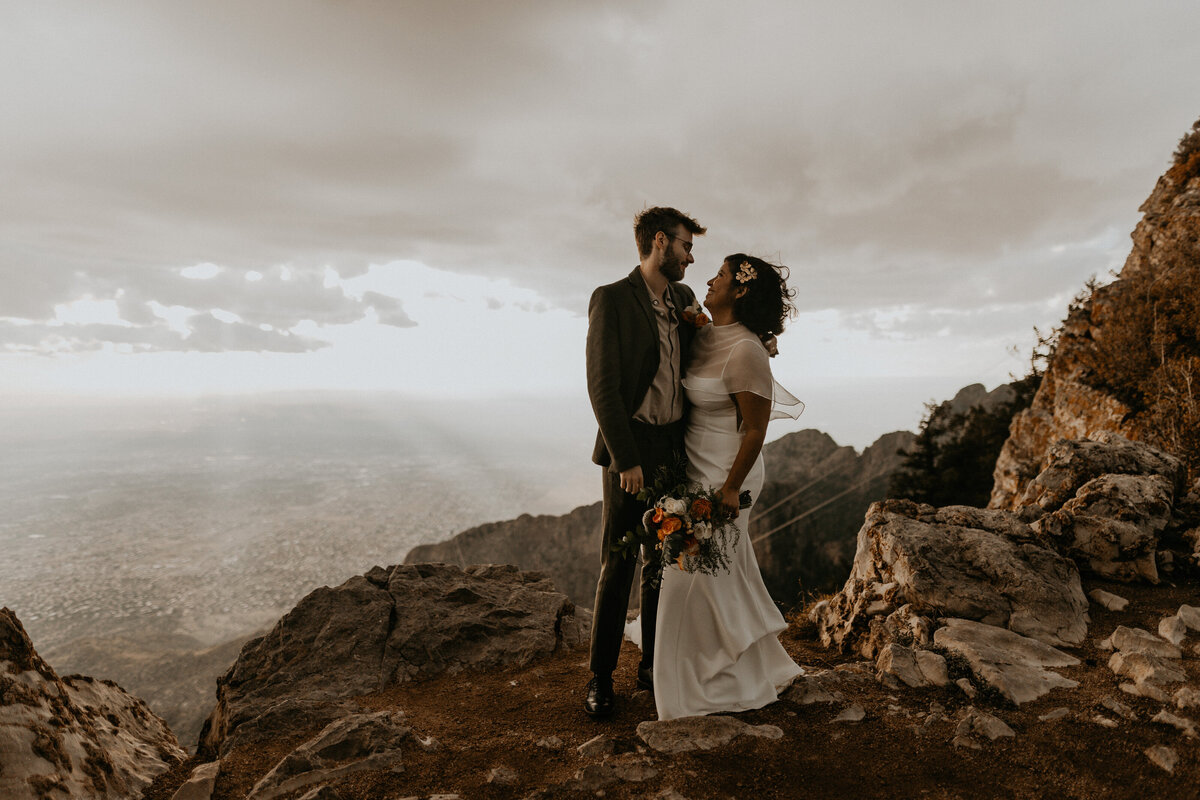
[{"x": 73, "y": 737}]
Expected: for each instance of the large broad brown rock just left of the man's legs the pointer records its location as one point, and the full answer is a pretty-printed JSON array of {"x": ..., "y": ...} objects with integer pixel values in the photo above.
[{"x": 387, "y": 627}]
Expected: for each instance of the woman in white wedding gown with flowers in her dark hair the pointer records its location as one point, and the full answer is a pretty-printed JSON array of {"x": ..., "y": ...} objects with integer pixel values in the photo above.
[{"x": 718, "y": 636}]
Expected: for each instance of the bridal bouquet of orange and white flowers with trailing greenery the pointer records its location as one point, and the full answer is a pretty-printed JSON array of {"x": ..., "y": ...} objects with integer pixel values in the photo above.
[{"x": 687, "y": 525}]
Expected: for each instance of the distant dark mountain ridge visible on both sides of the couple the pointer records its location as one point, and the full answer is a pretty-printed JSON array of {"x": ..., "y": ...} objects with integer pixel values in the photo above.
[{"x": 814, "y": 501}]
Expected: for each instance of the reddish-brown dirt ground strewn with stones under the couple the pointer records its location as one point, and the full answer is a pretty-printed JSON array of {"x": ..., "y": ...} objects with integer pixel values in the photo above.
[{"x": 489, "y": 720}]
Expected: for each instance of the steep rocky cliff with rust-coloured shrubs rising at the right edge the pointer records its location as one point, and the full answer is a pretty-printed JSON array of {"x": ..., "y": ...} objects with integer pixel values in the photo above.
[{"x": 1076, "y": 402}]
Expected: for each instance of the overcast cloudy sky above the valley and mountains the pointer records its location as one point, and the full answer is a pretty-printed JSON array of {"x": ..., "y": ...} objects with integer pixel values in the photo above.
[{"x": 239, "y": 197}]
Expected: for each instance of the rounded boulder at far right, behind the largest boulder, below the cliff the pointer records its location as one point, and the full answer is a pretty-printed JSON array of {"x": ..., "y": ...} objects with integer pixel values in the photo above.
[{"x": 1112, "y": 526}]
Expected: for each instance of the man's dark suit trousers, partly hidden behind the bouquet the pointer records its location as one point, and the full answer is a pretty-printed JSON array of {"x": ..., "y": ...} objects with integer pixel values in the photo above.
[{"x": 622, "y": 513}]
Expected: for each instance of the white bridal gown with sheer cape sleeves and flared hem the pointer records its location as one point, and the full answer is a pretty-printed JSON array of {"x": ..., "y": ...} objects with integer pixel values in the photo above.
[{"x": 717, "y": 647}]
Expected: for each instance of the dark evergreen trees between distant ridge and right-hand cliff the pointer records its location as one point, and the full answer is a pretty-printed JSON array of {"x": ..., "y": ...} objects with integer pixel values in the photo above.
[{"x": 955, "y": 455}]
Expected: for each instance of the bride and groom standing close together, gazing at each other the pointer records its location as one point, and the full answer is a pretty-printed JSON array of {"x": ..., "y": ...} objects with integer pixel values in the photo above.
[{"x": 662, "y": 382}]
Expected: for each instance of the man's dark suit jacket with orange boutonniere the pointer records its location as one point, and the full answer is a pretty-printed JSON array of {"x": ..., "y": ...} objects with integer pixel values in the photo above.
[{"x": 623, "y": 359}]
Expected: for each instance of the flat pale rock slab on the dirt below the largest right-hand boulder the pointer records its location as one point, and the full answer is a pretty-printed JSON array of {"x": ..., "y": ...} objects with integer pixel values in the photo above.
[{"x": 1015, "y": 665}]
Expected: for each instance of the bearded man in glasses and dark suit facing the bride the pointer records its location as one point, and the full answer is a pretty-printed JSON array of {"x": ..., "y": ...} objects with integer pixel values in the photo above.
[{"x": 637, "y": 353}]
